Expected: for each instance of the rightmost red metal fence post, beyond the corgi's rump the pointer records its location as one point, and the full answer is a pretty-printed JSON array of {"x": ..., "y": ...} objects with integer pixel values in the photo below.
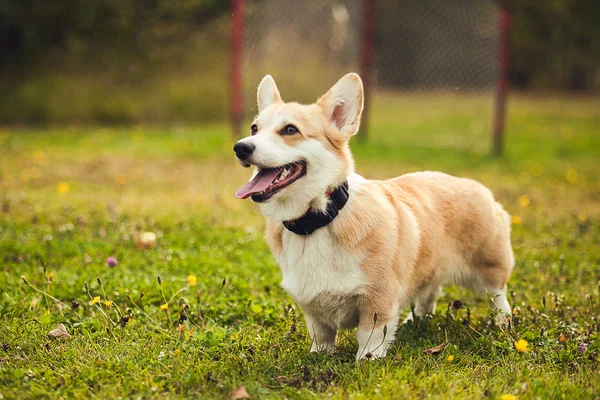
[{"x": 502, "y": 89}]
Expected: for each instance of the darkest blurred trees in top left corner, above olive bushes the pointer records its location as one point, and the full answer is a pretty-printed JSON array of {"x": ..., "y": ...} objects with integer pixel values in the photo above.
[{"x": 44, "y": 32}]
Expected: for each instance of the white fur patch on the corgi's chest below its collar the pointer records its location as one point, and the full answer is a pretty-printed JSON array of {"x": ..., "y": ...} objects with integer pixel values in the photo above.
[{"x": 315, "y": 265}]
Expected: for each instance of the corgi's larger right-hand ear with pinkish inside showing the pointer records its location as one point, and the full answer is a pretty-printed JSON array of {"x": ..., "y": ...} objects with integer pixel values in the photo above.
[{"x": 343, "y": 104}]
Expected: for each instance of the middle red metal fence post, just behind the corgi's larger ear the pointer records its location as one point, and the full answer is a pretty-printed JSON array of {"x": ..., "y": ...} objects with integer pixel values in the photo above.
[{"x": 366, "y": 62}]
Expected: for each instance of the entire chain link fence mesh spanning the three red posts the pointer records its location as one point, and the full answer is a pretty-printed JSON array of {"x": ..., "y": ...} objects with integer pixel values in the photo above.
[{"x": 428, "y": 49}]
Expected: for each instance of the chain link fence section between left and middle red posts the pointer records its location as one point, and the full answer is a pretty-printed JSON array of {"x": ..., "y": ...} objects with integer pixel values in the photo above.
[{"x": 305, "y": 45}]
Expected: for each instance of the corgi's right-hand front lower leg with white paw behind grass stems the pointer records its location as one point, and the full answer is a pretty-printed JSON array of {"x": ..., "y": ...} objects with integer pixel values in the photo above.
[{"x": 376, "y": 331}]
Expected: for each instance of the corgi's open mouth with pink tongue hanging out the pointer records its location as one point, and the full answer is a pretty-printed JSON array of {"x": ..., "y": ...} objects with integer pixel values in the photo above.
[{"x": 269, "y": 181}]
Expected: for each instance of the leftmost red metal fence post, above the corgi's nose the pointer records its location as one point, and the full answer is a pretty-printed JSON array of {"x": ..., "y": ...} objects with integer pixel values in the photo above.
[{"x": 235, "y": 77}]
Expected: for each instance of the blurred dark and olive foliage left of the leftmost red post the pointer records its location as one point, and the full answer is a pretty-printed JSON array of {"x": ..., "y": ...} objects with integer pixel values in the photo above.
[{"x": 112, "y": 61}]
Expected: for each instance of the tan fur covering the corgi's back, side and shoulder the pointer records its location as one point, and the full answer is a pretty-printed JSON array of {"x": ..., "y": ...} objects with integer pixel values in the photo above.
[{"x": 452, "y": 214}]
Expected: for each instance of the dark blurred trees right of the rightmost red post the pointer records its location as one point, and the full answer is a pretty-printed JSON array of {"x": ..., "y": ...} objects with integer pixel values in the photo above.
[{"x": 556, "y": 44}]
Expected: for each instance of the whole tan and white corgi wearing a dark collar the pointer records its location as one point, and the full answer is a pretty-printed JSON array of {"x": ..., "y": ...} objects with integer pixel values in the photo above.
[{"x": 353, "y": 252}]
